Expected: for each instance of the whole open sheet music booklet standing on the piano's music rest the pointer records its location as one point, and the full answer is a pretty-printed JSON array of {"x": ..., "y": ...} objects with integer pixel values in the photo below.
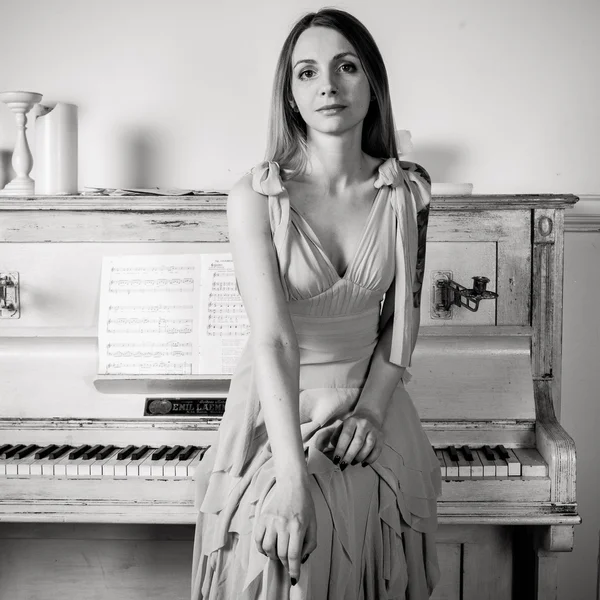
[{"x": 170, "y": 314}]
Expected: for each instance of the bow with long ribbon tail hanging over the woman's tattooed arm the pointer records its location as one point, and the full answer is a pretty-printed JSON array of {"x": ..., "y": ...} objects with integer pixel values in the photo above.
[{"x": 410, "y": 193}]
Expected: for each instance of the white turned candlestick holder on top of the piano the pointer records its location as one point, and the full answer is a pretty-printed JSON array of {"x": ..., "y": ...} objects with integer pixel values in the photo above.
[{"x": 22, "y": 161}]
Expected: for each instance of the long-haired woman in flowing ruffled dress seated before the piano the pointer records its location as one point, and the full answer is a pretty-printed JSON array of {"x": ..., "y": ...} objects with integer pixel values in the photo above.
[{"x": 323, "y": 484}]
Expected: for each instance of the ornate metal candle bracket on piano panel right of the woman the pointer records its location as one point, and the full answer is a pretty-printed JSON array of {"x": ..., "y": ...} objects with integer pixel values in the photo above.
[{"x": 447, "y": 293}]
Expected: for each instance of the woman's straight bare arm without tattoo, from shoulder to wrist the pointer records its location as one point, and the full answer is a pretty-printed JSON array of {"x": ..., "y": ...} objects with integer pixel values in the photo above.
[{"x": 274, "y": 345}]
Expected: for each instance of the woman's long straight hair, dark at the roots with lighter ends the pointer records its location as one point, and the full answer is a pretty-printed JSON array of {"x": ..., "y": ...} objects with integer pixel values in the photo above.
[{"x": 286, "y": 139}]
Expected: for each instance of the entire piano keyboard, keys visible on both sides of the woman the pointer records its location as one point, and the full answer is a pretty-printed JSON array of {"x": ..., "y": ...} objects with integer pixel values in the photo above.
[{"x": 109, "y": 461}]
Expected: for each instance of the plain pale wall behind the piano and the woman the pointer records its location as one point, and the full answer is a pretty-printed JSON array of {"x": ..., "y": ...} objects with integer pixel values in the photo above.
[{"x": 501, "y": 94}]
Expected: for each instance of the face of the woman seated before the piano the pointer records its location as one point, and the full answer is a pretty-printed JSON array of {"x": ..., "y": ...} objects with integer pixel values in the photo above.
[{"x": 327, "y": 71}]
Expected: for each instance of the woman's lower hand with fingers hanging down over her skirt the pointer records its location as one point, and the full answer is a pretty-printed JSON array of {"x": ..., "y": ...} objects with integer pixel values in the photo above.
[{"x": 287, "y": 526}]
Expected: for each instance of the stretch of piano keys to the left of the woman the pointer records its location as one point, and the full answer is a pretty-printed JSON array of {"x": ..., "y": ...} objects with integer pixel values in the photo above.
[{"x": 99, "y": 460}]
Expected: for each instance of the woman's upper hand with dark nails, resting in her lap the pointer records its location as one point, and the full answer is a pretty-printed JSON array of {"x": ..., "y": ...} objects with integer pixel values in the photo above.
[{"x": 359, "y": 439}]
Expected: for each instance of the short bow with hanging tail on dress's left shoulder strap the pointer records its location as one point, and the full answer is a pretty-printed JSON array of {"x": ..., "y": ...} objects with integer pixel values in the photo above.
[{"x": 266, "y": 180}]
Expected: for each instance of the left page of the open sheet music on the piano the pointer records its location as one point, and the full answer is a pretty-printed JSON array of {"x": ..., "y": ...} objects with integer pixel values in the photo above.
[{"x": 148, "y": 318}]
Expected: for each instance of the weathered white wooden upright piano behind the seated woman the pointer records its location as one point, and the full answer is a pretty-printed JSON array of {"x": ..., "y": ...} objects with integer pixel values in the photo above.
[{"x": 96, "y": 489}]
